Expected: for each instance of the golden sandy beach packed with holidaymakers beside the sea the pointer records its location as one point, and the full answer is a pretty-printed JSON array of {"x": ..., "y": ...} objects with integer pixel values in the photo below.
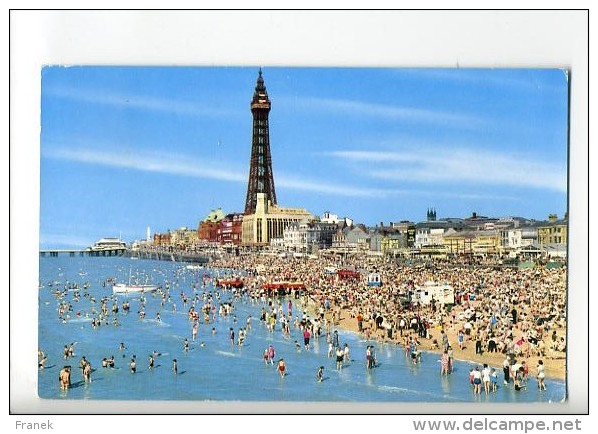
[{"x": 490, "y": 295}]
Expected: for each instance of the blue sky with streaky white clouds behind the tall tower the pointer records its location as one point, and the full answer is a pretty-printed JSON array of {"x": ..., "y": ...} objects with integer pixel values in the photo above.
[{"x": 124, "y": 148}]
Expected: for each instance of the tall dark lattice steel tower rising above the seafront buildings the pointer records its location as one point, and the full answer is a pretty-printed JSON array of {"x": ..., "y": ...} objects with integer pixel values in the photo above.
[{"x": 261, "y": 179}]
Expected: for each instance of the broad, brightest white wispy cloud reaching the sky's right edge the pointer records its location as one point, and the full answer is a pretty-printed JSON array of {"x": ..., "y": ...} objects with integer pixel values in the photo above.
[{"x": 430, "y": 165}]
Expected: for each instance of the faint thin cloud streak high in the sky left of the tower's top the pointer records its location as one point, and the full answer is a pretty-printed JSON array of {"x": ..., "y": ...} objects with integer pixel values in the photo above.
[{"x": 138, "y": 102}]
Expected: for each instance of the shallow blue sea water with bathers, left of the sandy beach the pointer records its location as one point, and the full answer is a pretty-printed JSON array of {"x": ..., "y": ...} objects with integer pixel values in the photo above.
[{"x": 213, "y": 369}]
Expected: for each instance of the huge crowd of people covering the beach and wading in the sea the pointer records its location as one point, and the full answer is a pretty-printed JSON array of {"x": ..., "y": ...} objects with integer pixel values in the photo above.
[{"x": 500, "y": 316}]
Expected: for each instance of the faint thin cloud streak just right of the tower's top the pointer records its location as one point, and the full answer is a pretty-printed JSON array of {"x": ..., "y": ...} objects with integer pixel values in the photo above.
[{"x": 385, "y": 111}]
